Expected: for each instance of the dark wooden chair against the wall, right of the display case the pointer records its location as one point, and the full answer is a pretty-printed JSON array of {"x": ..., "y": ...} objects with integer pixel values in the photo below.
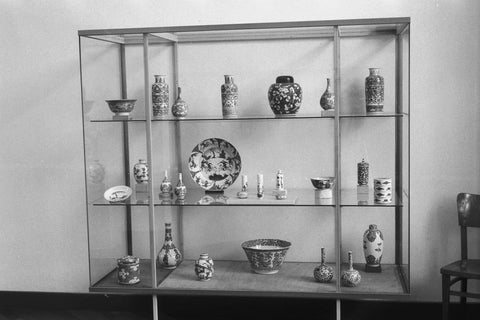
[{"x": 468, "y": 207}]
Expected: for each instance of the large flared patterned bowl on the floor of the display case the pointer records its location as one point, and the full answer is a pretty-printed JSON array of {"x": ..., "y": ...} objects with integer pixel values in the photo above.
[{"x": 266, "y": 255}]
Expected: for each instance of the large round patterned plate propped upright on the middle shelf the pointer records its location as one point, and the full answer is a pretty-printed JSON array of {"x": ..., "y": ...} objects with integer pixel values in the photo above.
[{"x": 214, "y": 164}]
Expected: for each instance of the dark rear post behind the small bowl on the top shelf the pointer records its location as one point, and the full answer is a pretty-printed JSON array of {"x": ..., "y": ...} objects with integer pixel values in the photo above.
[{"x": 126, "y": 148}]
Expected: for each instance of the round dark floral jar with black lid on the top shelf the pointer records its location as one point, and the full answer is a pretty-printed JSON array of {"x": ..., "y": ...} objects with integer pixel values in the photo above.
[{"x": 285, "y": 96}]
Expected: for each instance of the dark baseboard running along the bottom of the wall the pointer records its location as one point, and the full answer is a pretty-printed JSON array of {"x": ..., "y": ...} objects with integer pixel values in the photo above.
[{"x": 228, "y": 307}]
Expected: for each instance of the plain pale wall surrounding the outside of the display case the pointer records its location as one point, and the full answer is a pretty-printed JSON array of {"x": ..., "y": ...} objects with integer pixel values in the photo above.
[{"x": 43, "y": 229}]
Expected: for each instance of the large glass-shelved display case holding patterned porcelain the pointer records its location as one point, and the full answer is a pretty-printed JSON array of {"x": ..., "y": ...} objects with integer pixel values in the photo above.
[{"x": 309, "y": 142}]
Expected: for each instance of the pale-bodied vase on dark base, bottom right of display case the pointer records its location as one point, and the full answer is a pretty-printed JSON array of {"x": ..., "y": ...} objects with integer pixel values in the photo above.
[{"x": 373, "y": 248}]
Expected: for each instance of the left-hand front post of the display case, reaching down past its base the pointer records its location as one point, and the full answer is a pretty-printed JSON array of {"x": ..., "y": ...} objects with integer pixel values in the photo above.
[{"x": 151, "y": 203}]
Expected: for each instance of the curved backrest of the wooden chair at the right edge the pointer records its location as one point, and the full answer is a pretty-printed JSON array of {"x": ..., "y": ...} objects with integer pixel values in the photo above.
[{"x": 468, "y": 207}]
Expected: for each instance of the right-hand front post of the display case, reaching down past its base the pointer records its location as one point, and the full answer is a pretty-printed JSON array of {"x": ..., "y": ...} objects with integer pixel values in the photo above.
[{"x": 338, "y": 197}]
